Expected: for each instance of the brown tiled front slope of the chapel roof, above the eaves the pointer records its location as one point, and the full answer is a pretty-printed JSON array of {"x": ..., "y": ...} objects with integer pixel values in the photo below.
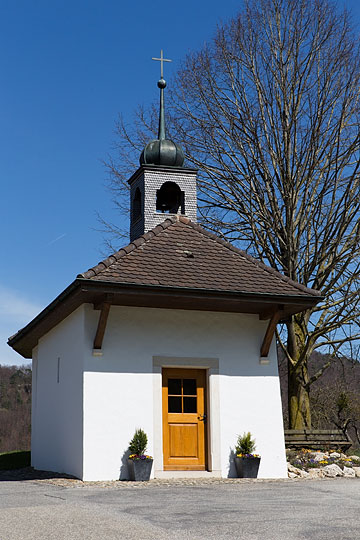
[{"x": 179, "y": 253}]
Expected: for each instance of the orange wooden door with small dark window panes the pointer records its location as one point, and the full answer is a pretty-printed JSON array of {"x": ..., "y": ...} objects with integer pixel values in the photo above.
[{"x": 184, "y": 417}]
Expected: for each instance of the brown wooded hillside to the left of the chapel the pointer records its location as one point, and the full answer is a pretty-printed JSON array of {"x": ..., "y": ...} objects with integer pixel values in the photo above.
[{"x": 15, "y": 408}]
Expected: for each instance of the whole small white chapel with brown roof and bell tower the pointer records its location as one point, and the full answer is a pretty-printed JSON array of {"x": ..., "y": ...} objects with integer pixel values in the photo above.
[{"x": 173, "y": 334}]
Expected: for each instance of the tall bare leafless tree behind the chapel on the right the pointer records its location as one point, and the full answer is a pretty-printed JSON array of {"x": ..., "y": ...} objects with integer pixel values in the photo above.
[{"x": 269, "y": 113}]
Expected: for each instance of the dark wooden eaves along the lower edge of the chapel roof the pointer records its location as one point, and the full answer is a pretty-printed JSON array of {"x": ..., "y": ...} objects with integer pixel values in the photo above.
[{"x": 83, "y": 291}]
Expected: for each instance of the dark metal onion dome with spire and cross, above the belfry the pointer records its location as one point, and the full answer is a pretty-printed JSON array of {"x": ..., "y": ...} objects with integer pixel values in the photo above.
[{"x": 162, "y": 151}]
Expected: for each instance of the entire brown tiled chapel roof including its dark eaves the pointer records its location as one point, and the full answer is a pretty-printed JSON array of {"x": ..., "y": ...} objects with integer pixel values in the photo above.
[{"x": 176, "y": 265}]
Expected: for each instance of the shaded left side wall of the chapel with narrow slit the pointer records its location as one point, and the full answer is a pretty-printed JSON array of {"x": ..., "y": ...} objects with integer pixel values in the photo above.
[{"x": 56, "y": 443}]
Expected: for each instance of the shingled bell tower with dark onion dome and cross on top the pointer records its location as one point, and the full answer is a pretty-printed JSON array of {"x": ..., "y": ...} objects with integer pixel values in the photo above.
[{"x": 161, "y": 186}]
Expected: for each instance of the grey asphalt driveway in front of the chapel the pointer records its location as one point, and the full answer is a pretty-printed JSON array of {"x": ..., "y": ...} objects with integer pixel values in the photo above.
[{"x": 276, "y": 510}]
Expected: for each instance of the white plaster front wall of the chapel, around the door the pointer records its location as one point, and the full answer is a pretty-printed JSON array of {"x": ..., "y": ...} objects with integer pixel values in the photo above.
[{"x": 122, "y": 389}]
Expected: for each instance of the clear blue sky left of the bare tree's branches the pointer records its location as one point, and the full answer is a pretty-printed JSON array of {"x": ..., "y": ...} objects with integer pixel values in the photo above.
[{"x": 67, "y": 69}]
